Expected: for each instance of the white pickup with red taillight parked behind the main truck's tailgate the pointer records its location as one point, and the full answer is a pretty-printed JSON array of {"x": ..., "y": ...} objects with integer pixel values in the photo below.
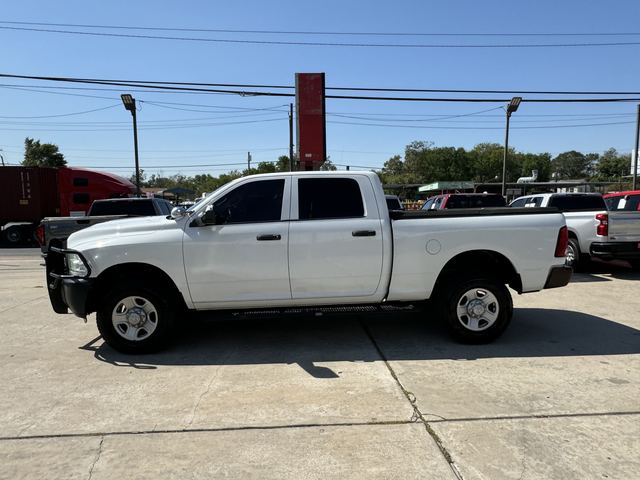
[{"x": 594, "y": 231}]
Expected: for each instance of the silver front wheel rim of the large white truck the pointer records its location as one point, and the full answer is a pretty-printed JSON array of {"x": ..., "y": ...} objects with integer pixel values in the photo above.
[{"x": 134, "y": 318}]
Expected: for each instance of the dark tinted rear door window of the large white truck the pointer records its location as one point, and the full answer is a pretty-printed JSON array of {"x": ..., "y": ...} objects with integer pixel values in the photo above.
[{"x": 324, "y": 198}]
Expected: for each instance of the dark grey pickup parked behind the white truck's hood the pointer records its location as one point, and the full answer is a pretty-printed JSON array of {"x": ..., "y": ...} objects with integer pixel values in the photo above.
[{"x": 56, "y": 230}]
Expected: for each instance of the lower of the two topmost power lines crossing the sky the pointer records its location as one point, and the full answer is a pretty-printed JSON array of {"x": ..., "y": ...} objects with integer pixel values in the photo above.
[{"x": 319, "y": 44}]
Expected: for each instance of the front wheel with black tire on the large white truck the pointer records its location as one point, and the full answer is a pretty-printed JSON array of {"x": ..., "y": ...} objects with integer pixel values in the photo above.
[{"x": 154, "y": 333}]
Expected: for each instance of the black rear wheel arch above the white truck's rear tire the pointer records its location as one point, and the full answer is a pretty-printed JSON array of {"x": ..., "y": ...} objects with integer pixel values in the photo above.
[{"x": 480, "y": 262}]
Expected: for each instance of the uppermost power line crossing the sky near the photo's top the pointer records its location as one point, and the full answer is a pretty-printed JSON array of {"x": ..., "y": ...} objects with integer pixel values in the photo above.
[{"x": 307, "y": 32}]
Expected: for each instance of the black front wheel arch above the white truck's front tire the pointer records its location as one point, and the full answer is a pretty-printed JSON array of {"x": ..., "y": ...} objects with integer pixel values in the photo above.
[{"x": 143, "y": 272}]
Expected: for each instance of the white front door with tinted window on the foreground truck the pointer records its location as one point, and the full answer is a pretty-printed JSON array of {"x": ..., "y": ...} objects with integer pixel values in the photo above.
[{"x": 242, "y": 260}]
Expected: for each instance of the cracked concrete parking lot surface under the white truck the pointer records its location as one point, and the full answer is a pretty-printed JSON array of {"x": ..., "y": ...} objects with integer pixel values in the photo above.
[{"x": 348, "y": 396}]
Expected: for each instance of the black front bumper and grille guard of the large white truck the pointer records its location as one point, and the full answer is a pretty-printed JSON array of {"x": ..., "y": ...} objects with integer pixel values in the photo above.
[{"x": 66, "y": 292}]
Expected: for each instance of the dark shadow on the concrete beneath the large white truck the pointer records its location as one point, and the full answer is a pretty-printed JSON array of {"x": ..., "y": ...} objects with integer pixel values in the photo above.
[{"x": 309, "y": 340}]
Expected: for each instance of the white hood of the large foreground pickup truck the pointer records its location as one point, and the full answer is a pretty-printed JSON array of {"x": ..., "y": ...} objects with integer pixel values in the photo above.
[{"x": 127, "y": 230}]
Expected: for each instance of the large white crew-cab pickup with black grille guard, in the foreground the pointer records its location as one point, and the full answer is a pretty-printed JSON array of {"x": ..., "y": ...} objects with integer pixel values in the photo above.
[{"x": 304, "y": 239}]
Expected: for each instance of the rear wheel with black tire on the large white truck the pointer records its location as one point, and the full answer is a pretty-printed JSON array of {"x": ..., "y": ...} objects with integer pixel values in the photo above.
[{"x": 454, "y": 297}]
